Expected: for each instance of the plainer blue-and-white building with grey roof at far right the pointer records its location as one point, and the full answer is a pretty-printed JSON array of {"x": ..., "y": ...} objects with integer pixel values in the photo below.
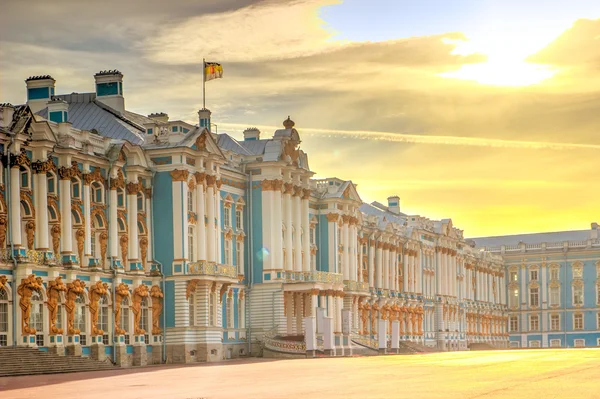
[{"x": 553, "y": 287}]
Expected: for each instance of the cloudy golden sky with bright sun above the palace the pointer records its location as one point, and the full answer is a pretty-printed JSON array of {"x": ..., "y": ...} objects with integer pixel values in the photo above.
[{"x": 485, "y": 112}]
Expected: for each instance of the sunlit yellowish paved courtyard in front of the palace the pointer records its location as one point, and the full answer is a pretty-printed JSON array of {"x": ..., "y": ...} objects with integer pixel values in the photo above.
[{"x": 544, "y": 374}]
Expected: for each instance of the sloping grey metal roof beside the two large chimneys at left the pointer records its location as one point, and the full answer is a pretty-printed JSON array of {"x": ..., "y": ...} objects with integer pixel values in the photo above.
[{"x": 85, "y": 113}]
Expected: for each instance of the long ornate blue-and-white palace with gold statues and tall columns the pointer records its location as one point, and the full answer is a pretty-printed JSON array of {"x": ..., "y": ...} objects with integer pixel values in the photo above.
[{"x": 146, "y": 240}]
